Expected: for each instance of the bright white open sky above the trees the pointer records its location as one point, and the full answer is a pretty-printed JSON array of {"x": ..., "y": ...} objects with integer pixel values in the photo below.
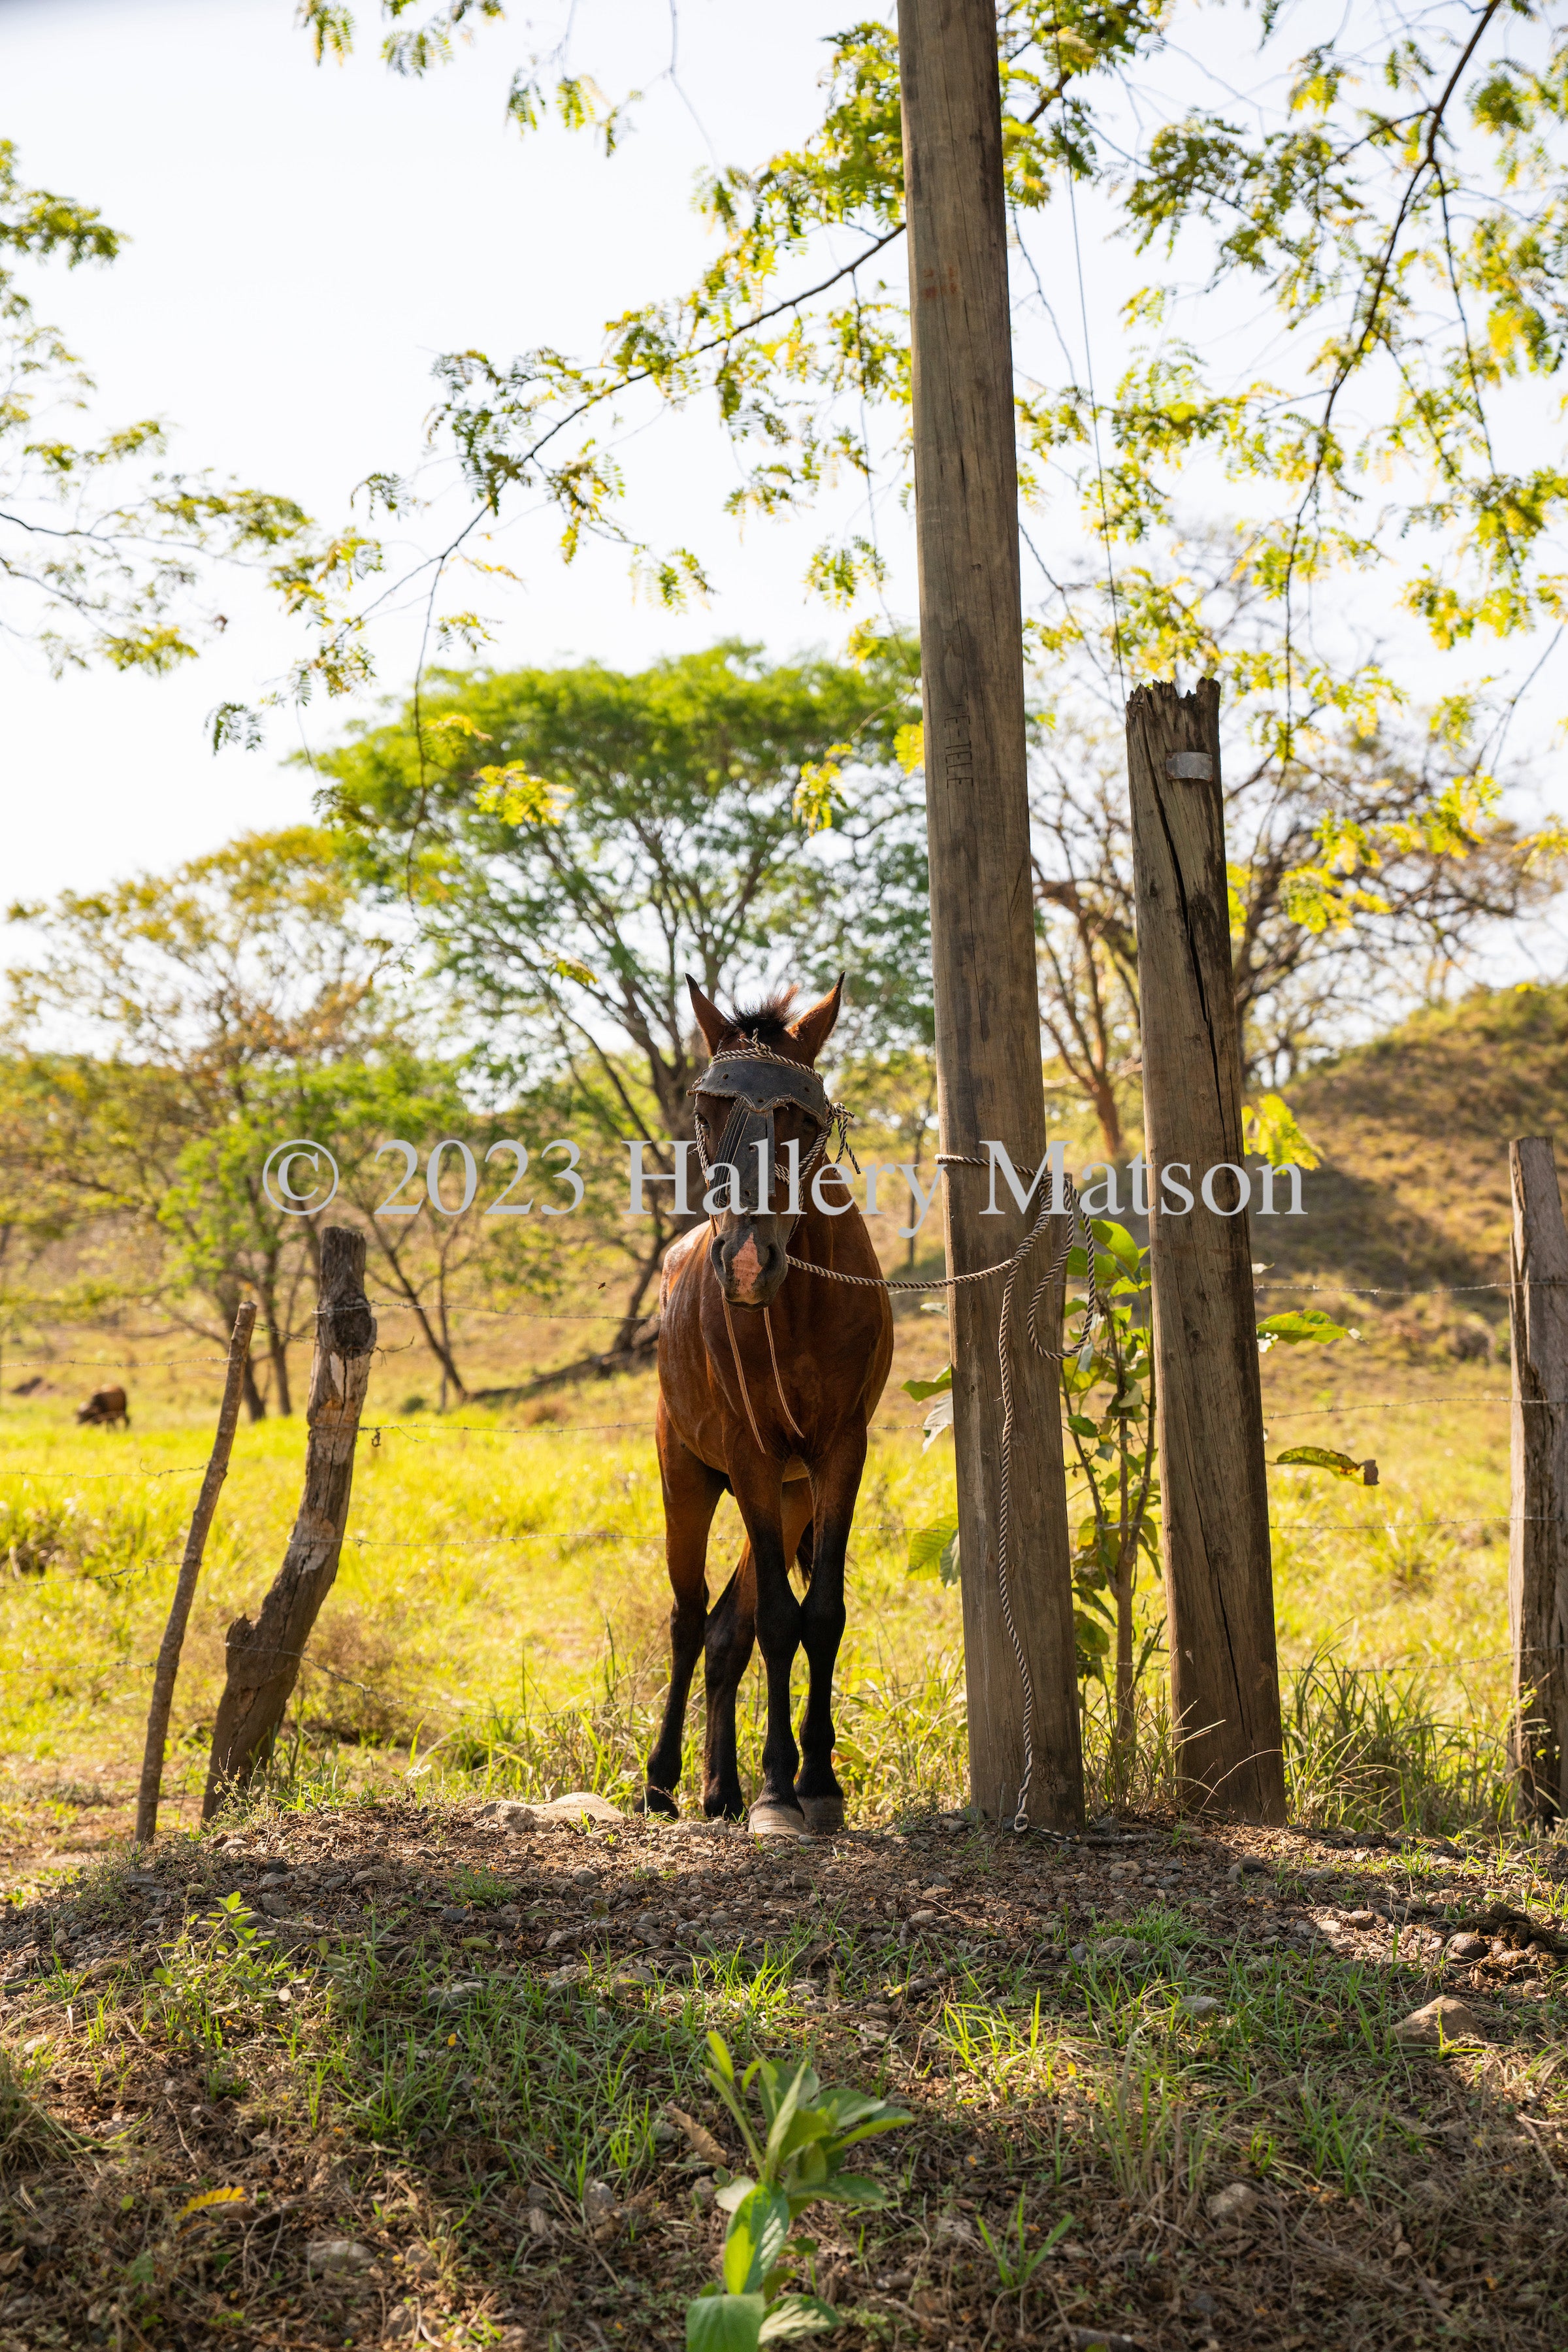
[{"x": 309, "y": 239}]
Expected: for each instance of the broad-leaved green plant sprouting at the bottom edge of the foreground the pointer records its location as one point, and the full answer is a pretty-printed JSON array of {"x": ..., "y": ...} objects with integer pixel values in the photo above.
[{"x": 798, "y": 2160}]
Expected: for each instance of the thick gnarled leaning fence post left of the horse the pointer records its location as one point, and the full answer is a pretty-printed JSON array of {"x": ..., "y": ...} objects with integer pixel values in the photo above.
[{"x": 264, "y": 1657}]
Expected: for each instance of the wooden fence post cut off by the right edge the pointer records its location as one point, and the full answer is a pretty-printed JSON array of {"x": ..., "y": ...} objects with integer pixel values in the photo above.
[{"x": 1539, "y": 1535}]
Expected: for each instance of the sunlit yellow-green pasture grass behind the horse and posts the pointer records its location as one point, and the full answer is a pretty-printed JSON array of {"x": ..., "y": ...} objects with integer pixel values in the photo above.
[{"x": 500, "y": 1615}]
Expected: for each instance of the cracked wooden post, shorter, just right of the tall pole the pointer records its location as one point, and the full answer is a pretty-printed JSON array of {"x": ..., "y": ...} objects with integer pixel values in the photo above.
[{"x": 1209, "y": 1394}]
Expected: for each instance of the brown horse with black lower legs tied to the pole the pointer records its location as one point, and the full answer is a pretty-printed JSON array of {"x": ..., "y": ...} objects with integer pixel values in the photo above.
[{"x": 768, "y": 1382}]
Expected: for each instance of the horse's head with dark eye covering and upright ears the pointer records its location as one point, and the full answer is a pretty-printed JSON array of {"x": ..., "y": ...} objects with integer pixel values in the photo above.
[{"x": 758, "y": 1097}]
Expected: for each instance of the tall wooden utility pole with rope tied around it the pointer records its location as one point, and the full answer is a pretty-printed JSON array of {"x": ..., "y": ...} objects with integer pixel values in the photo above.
[{"x": 981, "y": 890}]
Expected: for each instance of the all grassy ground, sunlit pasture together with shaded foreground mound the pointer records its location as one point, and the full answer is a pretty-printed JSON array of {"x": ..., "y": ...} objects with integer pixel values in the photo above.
[{"x": 366, "y": 2066}]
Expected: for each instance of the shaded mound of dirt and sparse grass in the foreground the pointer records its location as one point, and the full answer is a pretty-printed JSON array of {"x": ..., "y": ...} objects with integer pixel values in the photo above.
[{"x": 434, "y": 2064}]
